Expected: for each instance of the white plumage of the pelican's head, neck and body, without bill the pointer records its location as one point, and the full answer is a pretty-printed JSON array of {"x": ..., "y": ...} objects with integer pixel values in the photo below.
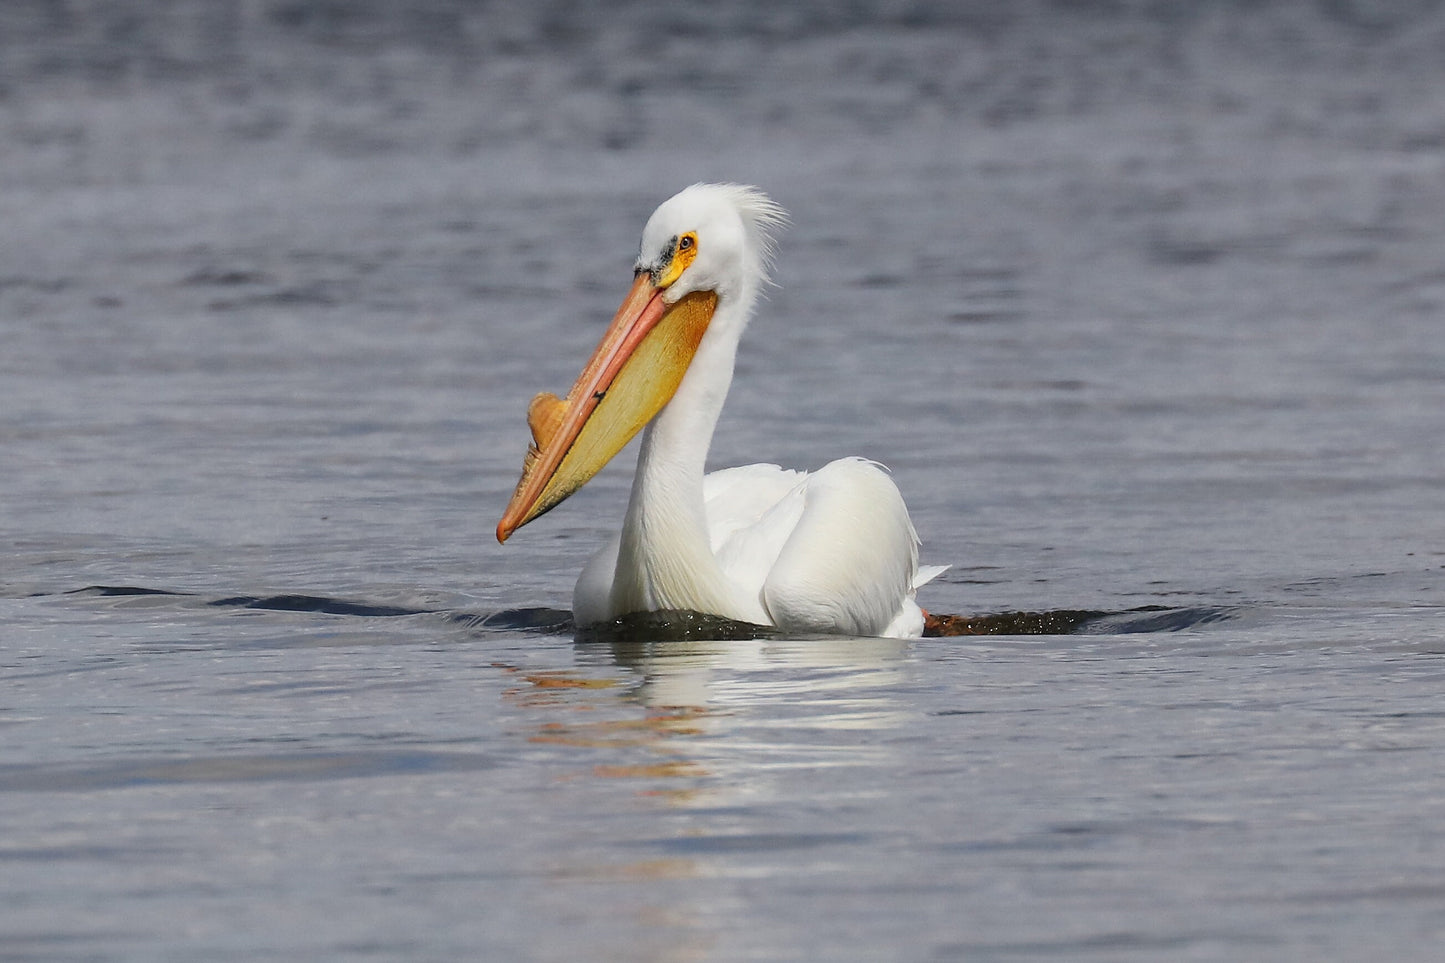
[{"x": 830, "y": 552}]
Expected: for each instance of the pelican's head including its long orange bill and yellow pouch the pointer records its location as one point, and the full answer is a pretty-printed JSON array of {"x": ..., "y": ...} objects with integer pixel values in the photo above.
[{"x": 704, "y": 257}]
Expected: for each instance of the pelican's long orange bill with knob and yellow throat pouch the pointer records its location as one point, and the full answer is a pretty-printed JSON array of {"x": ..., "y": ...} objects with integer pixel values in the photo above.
[{"x": 626, "y": 382}]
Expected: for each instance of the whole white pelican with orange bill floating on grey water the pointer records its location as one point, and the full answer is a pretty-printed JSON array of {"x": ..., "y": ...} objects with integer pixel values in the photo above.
[{"x": 830, "y": 552}]
